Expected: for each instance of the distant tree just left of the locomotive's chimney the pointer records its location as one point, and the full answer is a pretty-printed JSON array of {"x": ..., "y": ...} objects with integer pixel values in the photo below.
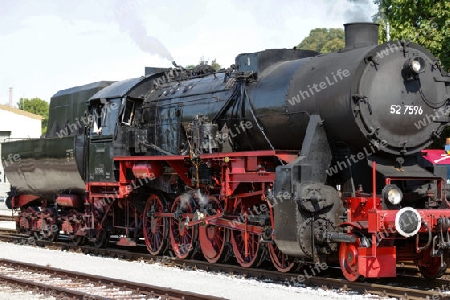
[{"x": 323, "y": 40}]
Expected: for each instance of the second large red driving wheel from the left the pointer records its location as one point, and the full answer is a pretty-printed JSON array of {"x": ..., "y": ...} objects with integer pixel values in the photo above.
[{"x": 182, "y": 239}]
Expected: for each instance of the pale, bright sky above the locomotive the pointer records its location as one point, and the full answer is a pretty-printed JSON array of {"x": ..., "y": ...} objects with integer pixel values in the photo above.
[{"x": 51, "y": 45}]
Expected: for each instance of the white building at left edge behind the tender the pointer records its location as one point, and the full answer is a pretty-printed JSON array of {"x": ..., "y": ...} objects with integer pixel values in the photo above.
[{"x": 15, "y": 124}]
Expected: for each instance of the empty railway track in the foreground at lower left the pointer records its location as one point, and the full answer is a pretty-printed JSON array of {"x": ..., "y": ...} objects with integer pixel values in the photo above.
[{"x": 78, "y": 285}]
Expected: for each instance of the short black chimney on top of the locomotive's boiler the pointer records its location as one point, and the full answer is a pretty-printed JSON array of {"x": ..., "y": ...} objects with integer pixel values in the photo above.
[{"x": 360, "y": 35}]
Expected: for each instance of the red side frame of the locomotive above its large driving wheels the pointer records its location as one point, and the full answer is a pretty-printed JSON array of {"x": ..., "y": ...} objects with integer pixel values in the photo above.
[{"x": 237, "y": 167}]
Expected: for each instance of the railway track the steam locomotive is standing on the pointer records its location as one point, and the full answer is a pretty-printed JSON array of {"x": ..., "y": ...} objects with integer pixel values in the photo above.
[{"x": 330, "y": 278}]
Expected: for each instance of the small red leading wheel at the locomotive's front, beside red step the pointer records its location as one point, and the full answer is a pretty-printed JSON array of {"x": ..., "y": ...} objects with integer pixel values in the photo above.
[{"x": 348, "y": 260}]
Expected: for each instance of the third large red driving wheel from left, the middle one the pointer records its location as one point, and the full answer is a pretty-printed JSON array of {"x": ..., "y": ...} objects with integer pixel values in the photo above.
[{"x": 214, "y": 239}]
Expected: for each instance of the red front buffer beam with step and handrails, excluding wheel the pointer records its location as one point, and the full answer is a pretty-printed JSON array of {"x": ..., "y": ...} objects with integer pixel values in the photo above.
[{"x": 366, "y": 215}]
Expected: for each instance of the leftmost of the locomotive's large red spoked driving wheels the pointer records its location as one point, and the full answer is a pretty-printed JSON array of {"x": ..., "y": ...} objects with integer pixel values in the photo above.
[{"x": 155, "y": 228}]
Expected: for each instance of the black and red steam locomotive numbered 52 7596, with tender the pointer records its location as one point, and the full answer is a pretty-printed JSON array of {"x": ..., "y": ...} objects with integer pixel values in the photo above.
[{"x": 288, "y": 155}]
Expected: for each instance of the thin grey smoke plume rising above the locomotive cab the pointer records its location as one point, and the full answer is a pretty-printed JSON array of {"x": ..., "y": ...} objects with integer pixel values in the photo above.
[{"x": 130, "y": 22}]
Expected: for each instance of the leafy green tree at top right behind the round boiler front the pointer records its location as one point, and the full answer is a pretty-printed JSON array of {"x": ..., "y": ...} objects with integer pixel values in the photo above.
[{"x": 426, "y": 22}]
